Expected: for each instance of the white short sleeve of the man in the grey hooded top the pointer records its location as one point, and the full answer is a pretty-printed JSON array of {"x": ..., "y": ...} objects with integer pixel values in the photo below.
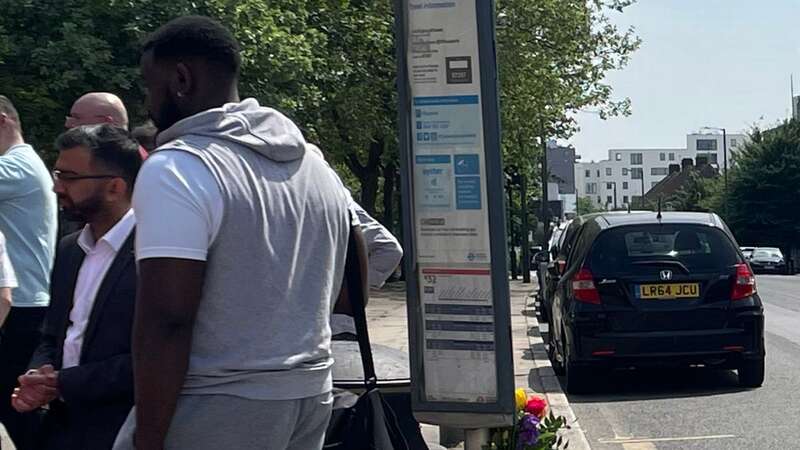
[{"x": 176, "y": 190}]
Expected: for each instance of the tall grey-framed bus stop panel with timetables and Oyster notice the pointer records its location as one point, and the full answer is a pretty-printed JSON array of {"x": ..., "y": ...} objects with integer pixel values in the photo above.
[{"x": 453, "y": 212}]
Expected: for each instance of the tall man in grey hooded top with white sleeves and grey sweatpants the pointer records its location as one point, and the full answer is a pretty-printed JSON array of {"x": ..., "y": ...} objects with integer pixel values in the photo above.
[{"x": 241, "y": 241}]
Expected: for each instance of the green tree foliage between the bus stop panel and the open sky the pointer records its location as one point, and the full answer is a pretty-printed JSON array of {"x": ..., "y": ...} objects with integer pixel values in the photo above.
[{"x": 553, "y": 57}]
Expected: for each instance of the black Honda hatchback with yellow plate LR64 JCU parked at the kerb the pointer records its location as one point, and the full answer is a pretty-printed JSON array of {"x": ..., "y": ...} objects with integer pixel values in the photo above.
[{"x": 650, "y": 289}]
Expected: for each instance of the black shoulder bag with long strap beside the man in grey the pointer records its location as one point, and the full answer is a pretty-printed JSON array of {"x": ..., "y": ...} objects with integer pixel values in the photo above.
[{"x": 368, "y": 422}]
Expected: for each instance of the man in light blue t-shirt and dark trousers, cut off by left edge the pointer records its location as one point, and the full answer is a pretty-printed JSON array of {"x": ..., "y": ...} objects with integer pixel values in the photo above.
[{"x": 28, "y": 221}]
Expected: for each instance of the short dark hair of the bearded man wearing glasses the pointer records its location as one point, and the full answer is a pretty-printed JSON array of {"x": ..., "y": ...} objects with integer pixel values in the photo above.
[{"x": 111, "y": 146}]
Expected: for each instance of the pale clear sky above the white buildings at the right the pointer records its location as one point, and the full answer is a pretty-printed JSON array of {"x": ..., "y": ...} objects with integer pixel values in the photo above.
[{"x": 716, "y": 63}]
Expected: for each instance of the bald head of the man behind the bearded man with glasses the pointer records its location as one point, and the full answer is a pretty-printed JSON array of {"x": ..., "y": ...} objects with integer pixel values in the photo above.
[{"x": 96, "y": 108}]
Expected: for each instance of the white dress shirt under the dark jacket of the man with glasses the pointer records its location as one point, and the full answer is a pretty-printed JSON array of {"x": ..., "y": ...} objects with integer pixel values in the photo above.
[{"x": 99, "y": 257}]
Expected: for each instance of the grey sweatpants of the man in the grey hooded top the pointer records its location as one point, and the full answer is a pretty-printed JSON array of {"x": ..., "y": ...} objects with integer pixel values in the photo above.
[{"x": 217, "y": 422}]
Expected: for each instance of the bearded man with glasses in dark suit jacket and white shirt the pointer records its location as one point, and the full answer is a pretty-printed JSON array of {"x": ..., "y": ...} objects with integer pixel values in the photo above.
[{"x": 82, "y": 367}]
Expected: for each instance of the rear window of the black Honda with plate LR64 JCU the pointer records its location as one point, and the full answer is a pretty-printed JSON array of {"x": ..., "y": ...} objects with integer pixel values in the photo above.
[{"x": 632, "y": 249}]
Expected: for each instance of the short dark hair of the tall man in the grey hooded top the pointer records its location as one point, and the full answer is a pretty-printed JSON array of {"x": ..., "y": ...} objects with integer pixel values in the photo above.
[{"x": 196, "y": 37}]
